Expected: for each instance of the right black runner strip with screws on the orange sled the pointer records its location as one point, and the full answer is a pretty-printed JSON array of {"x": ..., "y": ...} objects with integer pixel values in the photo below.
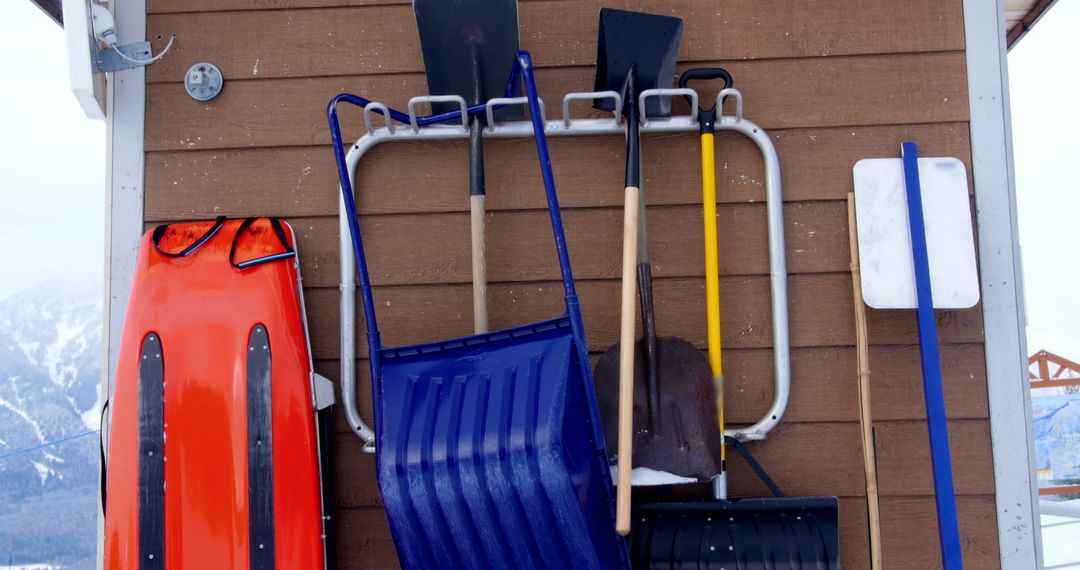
[{"x": 260, "y": 452}]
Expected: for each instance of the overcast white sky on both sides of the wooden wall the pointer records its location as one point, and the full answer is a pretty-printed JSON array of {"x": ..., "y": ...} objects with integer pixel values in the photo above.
[{"x": 52, "y": 194}]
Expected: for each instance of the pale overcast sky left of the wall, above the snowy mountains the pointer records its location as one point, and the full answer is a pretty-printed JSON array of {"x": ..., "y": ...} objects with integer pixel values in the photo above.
[{"x": 52, "y": 193}]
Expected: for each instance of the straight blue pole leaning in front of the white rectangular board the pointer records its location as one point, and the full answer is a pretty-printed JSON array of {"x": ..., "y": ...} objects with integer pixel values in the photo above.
[{"x": 949, "y": 530}]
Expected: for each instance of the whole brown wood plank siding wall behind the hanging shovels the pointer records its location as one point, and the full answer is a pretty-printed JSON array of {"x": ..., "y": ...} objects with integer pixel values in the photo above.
[{"x": 832, "y": 82}]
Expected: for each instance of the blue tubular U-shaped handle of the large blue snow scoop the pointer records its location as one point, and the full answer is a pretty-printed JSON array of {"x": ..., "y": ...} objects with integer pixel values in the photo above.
[{"x": 522, "y": 70}]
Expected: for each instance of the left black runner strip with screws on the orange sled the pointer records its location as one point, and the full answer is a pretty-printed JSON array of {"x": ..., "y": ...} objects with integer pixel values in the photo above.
[{"x": 152, "y": 451}]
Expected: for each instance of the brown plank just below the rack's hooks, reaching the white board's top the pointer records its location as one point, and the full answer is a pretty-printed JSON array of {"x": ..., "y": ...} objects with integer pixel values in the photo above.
[{"x": 816, "y": 165}]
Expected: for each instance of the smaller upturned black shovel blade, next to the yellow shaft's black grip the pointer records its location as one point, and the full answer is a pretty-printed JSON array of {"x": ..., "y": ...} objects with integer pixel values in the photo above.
[{"x": 649, "y": 42}]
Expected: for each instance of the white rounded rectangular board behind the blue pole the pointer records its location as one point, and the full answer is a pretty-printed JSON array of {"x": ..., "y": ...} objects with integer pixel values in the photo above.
[{"x": 885, "y": 238}]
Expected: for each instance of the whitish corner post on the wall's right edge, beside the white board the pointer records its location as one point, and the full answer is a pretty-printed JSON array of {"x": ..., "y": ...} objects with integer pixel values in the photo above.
[{"x": 1010, "y": 401}]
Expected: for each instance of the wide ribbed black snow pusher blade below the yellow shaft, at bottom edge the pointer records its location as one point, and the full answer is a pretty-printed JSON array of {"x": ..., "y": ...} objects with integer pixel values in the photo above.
[{"x": 744, "y": 535}]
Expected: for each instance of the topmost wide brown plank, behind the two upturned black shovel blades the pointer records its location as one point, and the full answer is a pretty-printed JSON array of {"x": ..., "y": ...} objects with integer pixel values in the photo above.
[{"x": 384, "y": 39}]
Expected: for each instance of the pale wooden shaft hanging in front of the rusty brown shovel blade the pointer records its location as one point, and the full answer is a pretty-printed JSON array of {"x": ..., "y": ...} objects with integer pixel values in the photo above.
[{"x": 627, "y": 334}]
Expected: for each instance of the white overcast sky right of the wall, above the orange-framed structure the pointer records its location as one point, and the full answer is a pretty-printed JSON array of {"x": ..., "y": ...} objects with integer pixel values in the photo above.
[{"x": 1046, "y": 118}]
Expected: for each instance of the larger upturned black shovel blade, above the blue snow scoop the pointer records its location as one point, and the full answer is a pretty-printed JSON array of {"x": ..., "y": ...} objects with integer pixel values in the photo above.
[{"x": 469, "y": 48}]
